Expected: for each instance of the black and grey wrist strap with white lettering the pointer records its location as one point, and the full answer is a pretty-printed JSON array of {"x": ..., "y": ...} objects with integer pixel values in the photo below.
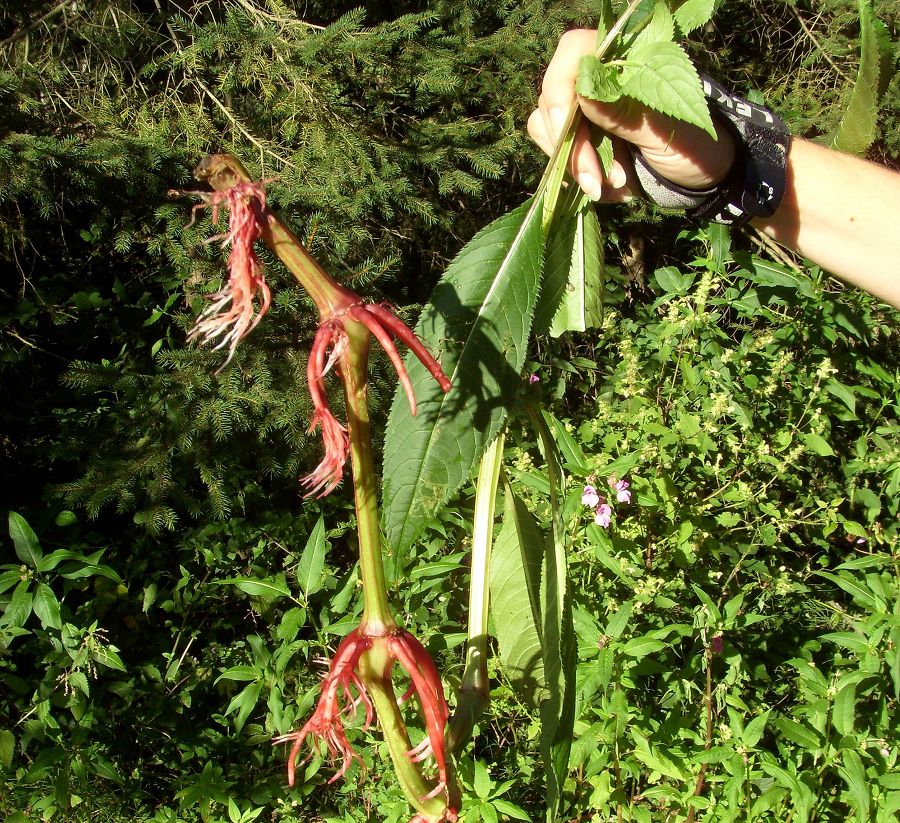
[{"x": 755, "y": 184}]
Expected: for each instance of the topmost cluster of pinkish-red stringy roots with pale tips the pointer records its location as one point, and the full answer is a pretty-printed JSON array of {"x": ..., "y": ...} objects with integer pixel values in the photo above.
[{"x": 232, "y": 322}]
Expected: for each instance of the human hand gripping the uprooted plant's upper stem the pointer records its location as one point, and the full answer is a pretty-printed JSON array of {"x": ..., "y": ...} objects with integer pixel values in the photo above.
[{"x": 682, "y": 153}]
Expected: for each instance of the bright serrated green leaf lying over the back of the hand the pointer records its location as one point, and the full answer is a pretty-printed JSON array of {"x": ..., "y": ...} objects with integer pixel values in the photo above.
[{"x": 660, "y": 75}]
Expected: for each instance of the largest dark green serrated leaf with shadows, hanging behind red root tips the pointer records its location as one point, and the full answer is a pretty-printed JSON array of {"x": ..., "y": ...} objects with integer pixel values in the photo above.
[{"x": 477, "y": 324}]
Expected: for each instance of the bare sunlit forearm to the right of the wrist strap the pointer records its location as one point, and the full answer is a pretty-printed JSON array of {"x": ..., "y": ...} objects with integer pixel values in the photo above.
[{"x": 844, "y": 214}]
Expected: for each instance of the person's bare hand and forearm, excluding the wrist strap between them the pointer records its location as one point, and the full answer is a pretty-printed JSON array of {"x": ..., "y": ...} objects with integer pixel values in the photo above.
[{"x": 839, "y": 211}]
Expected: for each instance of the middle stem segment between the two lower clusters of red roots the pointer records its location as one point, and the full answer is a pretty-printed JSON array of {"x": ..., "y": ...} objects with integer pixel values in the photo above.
[{"x": 377, "y": 616}]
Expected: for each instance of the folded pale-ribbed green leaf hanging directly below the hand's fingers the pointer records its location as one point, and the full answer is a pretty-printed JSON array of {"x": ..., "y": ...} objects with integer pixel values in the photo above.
[{"x": 582, "y": 302}]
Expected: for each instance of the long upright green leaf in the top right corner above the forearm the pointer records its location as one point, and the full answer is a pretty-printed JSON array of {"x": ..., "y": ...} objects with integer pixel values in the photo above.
[{"x": 858, "y": 126}]
